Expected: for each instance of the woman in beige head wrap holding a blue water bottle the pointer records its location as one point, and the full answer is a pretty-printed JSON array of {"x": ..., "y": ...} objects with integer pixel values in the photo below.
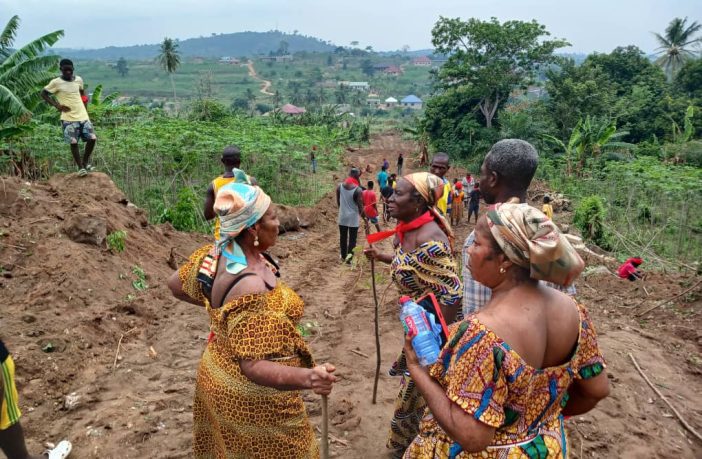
[{"x": 511, "y": 371}]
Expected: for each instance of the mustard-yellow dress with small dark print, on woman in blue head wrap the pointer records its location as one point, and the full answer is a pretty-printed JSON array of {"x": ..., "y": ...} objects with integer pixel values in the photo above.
[{"x": 234, "y": 417}]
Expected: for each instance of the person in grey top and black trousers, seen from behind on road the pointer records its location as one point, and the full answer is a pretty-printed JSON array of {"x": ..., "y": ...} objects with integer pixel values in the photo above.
[{"x": 349, "y": 199}]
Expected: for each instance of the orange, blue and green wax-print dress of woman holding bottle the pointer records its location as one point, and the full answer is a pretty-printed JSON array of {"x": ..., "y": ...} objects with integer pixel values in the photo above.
[{"x": 492, "y": 383}]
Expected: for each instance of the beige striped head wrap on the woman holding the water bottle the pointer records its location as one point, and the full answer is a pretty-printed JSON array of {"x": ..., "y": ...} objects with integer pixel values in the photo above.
[{"x": 531, "y": 240}]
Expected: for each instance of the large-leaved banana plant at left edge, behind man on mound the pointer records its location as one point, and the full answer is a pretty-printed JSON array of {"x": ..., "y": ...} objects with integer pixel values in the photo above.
[{"x": 23, "y": 72}]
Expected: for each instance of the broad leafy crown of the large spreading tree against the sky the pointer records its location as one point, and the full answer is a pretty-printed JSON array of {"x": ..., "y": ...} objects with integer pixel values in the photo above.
[{"x": 491, "y": 58}]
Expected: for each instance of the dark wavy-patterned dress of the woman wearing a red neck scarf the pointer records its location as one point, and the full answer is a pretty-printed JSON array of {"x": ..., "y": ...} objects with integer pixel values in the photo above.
[{"x": 430, "y": 268}]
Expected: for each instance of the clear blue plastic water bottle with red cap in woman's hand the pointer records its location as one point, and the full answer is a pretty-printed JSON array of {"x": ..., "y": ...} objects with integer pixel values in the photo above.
[{"x": 422, "y": 325}]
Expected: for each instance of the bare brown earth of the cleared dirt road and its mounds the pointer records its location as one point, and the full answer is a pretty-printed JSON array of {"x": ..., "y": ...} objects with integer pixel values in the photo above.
[{"x": 135, "y": 400}]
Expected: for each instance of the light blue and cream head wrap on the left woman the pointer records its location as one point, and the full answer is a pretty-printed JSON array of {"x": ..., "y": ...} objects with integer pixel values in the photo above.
[{"x": 239, "y": 206}]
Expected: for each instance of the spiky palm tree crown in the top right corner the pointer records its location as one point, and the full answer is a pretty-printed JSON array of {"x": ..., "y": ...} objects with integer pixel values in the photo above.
[{"x": 675, "y": 45}]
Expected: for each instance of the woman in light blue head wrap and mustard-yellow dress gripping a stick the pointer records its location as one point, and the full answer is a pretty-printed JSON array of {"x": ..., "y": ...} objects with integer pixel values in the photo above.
[{"x": 248, "y": 401}]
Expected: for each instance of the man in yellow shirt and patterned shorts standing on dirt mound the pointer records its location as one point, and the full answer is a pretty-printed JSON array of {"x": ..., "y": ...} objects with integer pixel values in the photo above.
[{"x": 69, "y": 98}]
